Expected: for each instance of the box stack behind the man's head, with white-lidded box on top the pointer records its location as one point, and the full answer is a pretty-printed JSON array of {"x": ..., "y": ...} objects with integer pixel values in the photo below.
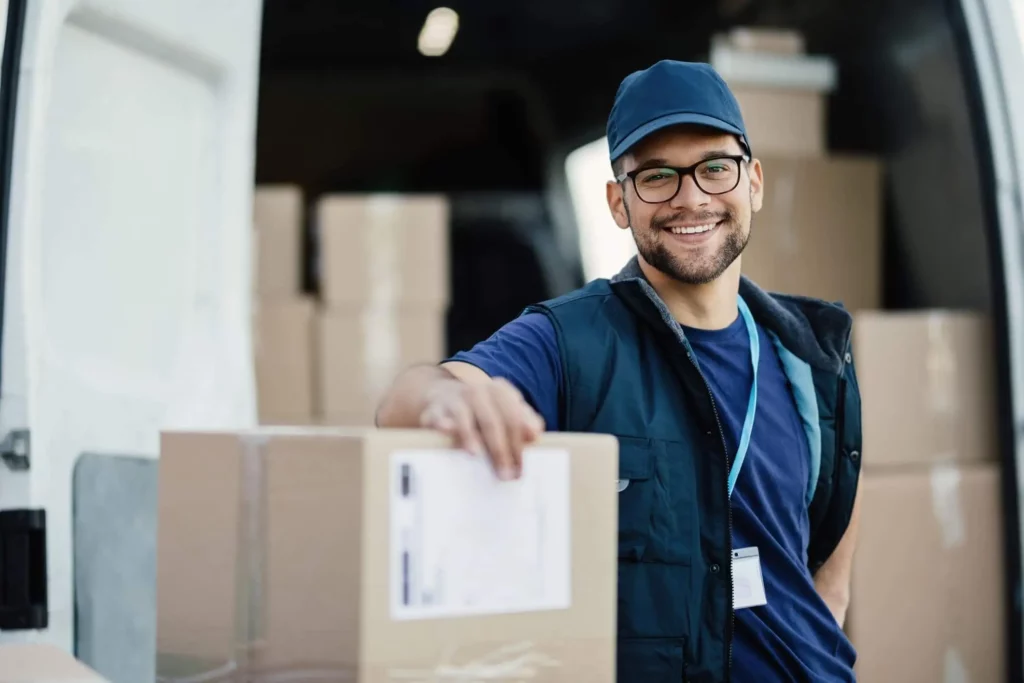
[{"x": 820, "y": 231}]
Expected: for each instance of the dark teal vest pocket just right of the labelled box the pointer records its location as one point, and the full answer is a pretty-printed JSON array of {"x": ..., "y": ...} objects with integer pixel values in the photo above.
[{"x": 636, "y": 497}]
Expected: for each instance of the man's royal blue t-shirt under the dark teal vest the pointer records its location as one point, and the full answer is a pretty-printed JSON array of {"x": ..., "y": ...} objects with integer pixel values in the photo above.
[{"x": 794, "y": 637}]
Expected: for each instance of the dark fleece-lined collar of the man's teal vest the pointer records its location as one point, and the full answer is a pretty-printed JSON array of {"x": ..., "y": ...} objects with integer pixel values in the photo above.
[{"x": 817, "y": 332}]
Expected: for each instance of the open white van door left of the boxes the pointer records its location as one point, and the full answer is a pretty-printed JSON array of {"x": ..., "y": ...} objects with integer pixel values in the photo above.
[{"x": 126, "y": 294}]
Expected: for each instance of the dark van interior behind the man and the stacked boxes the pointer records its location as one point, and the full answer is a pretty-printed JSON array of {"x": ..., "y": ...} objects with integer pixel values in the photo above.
[{"x": 348, "y": 104}]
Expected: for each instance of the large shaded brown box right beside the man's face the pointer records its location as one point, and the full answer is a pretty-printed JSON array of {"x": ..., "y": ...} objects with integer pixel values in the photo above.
[{"x": 820, "y": 231}]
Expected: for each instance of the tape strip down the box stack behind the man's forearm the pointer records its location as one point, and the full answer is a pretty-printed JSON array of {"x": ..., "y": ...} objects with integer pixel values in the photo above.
[{"x": 380, "y": 320}]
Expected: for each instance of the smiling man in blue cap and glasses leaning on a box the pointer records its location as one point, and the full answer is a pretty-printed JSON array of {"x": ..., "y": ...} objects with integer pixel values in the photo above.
[{"x": 738, "y": 412}]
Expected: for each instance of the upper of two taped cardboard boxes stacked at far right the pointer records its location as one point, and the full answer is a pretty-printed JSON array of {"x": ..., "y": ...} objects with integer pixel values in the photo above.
[{"x": 928, "y": 388}]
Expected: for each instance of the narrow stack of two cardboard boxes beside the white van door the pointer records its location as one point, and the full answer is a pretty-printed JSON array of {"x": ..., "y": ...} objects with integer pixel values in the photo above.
[{"x": 283, "y": 316}]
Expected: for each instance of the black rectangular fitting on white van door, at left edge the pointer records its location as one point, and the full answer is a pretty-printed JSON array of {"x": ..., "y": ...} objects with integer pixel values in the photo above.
[{"x": 24, "y": 593}]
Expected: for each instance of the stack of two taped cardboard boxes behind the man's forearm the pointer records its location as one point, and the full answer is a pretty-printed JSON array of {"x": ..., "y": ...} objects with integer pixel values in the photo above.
[{"x": 385, "y": 287}]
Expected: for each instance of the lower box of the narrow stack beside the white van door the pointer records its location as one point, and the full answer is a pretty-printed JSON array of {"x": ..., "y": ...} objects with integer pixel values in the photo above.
[{"x": 285, "y": 353}]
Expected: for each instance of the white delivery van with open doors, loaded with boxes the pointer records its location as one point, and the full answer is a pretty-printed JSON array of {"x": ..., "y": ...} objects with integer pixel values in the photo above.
[{"x": 131, "y": 145}]
